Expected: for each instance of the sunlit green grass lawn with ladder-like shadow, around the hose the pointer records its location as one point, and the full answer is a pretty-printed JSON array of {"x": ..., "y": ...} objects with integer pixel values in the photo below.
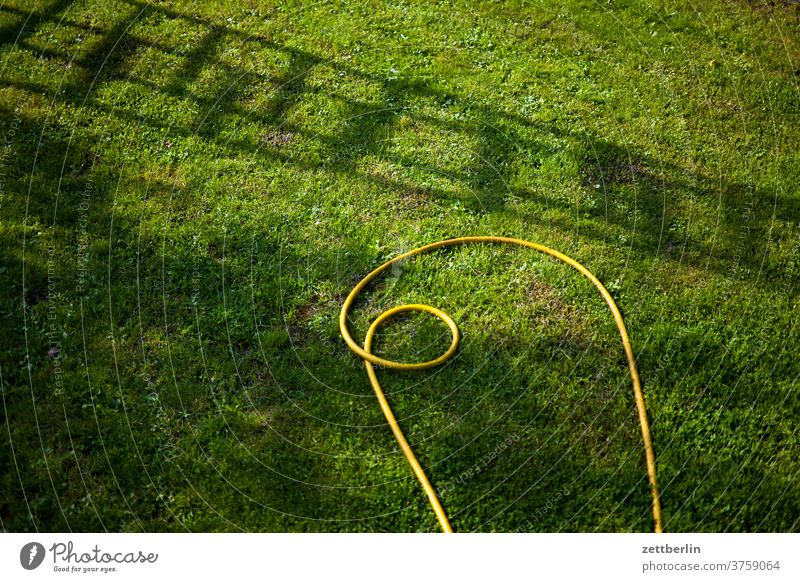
[{"x": 188, "y": 191}]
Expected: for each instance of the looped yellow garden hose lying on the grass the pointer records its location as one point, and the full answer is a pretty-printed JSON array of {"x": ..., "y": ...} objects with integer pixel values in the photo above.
[{"x": 370, "y": 359}]
